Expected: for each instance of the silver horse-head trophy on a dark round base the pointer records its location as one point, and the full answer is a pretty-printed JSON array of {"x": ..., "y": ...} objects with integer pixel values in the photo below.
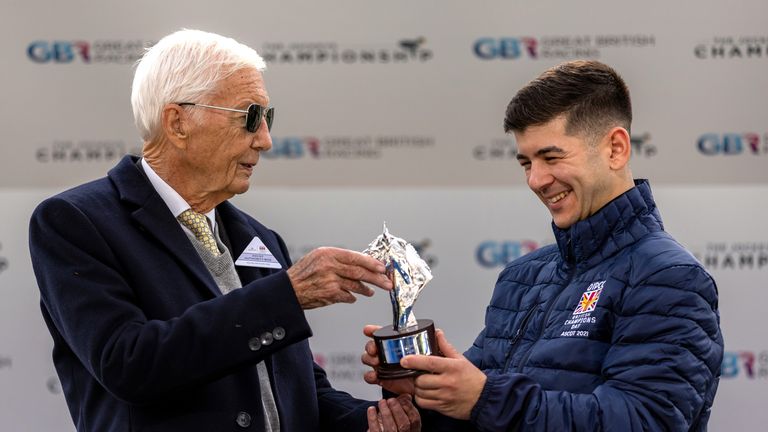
[{"x": 407, "y": 335}]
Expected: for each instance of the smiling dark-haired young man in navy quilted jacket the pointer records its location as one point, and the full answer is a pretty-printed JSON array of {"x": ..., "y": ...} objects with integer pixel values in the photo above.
[{"x": 616, "y": 326}]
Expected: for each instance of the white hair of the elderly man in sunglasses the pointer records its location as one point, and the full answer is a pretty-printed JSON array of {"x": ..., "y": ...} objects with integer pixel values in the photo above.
[{"x": 184, "y": 66}]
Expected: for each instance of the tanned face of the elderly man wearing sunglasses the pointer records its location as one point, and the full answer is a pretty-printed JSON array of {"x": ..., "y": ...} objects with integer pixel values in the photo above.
[{"x": 220, "y": 153}]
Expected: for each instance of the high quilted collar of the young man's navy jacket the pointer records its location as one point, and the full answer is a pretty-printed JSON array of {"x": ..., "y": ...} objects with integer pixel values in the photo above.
[{"x": 618, "y": 224}]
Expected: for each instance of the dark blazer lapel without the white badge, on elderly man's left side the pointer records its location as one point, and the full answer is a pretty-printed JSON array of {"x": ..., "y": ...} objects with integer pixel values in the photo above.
[{"x": 153, "y": 216}]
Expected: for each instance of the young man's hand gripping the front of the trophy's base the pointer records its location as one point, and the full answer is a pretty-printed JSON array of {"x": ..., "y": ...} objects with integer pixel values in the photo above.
[{"x": 454, "y": 384}]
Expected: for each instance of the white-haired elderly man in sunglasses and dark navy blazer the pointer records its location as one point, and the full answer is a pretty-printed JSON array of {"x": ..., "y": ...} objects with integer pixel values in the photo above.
[{"x": 170, "y": 309}]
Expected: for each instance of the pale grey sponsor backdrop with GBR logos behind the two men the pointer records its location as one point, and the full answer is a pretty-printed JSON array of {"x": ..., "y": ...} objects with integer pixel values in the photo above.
[{"x": 393, "y": 112}]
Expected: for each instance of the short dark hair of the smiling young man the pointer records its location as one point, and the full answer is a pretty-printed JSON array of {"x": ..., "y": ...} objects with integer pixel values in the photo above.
[{"x": 590, "y": 94}]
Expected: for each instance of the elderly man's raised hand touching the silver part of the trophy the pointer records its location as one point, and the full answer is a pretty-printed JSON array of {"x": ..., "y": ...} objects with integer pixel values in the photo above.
[{"x": 331, "y": 275}]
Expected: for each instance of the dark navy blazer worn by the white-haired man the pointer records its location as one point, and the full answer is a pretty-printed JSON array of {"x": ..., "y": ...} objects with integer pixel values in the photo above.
[{"x": 144, "y": 340}]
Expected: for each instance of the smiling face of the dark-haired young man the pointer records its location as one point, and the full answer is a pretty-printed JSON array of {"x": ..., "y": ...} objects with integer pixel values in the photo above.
[{"x": 573, "y": 178}]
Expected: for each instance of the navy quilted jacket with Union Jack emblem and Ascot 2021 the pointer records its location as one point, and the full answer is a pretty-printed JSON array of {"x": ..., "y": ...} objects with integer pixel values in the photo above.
[{"x": 614, "y": 328}]
